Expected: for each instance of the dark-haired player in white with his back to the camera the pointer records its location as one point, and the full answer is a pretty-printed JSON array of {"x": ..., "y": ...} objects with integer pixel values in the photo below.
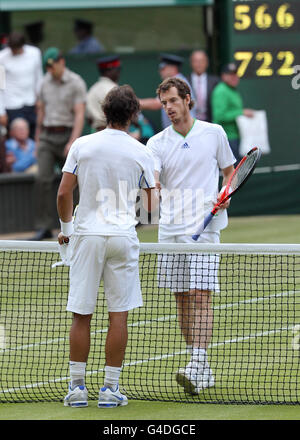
[{"x": 109, "y": 168}]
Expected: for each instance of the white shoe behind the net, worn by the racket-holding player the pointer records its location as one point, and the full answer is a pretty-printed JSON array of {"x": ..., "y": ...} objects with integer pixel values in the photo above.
[{"x": 194, "y": 378}]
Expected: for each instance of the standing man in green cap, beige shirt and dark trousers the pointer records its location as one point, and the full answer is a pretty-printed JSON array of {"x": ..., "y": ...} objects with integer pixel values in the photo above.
[{"x": 60, "y": 120}]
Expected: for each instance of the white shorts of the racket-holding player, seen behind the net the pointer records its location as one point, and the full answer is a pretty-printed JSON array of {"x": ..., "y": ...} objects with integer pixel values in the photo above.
[{"x": 184, "y": 272}]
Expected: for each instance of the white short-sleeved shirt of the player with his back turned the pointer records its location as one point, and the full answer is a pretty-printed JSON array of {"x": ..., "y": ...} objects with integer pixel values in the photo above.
[{"x": 110, "y": 166}]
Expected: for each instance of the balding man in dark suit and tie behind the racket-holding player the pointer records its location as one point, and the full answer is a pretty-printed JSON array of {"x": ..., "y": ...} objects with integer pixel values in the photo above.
[{"x": 202, "y": 84}]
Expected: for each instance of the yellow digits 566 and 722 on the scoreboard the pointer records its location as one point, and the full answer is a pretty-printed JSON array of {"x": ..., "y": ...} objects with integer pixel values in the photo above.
[{"x": 276, "y": 19}]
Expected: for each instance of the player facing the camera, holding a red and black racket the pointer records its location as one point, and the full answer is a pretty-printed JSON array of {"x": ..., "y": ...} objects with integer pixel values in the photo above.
[{"x": 188, "y": 156}]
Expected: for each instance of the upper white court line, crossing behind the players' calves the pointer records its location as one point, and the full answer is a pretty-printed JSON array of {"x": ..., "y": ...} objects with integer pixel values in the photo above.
[{"x": 160, "y": 319}]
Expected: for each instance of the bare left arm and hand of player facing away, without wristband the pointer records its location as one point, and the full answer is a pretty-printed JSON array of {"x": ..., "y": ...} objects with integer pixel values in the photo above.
[{"x": 65, "y": 202}]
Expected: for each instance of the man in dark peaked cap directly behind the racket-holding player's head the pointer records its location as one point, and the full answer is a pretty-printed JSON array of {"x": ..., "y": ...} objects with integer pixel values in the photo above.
[{"x": 169, "y": 67}]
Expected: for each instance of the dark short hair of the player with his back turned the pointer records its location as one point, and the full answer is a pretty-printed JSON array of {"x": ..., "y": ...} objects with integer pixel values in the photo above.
[{"x": 121, "y": 105}]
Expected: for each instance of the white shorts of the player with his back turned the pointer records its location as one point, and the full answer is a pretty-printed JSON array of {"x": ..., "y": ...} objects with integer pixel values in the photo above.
[{"x": 114, "y": 259}]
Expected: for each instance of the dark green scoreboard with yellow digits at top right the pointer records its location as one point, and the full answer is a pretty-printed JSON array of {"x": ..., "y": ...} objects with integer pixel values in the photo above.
[{"x": 263, "y": 38}]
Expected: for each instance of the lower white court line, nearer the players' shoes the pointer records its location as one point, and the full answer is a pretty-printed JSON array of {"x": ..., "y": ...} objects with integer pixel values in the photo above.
[{"x": 154, "y": 358}]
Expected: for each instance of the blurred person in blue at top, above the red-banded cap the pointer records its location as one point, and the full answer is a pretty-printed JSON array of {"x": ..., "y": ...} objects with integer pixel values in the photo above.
[{"x": 88, "y": 44}]
